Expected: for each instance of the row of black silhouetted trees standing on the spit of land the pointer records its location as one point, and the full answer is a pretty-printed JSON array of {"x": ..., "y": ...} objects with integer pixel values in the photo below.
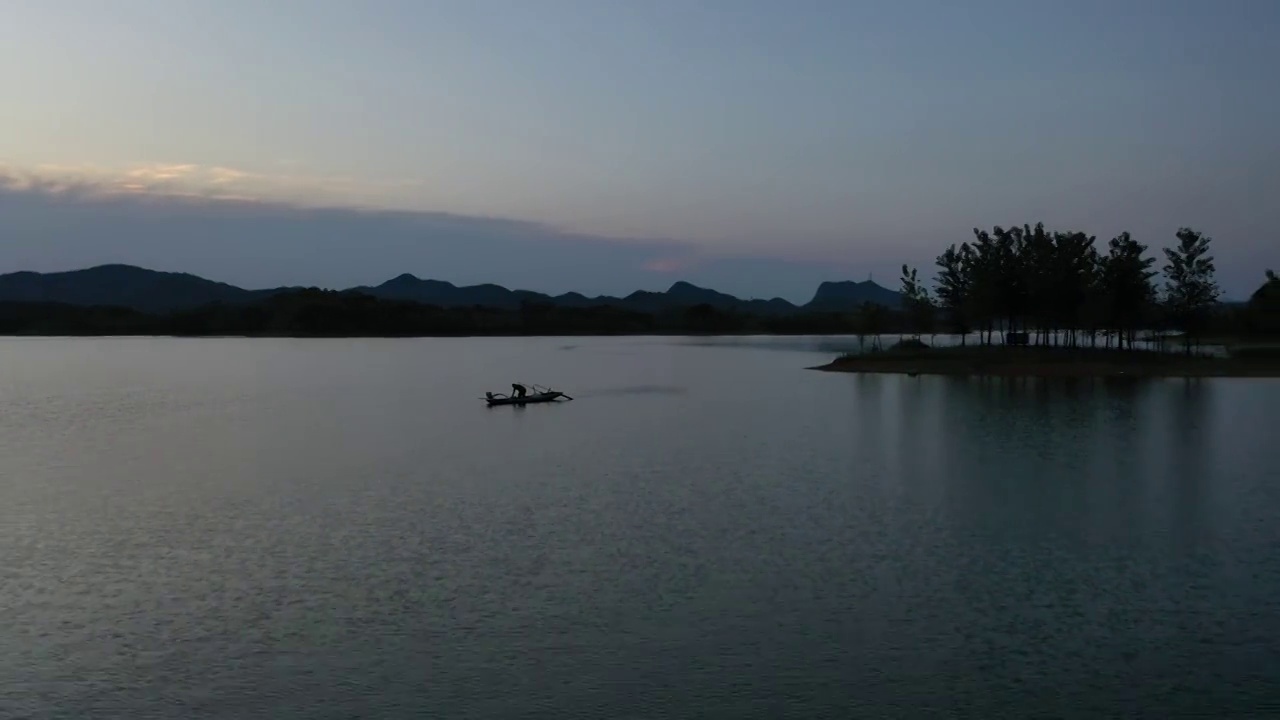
[{"x": 1043, "y": 288}]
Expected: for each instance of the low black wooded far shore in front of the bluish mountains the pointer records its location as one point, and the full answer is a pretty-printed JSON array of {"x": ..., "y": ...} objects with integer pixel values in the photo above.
[{"x": 330, "y": 313}]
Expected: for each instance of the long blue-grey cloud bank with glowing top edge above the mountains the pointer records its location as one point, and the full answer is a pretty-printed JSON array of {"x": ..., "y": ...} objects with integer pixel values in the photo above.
[{"x": 173, "y": 217}]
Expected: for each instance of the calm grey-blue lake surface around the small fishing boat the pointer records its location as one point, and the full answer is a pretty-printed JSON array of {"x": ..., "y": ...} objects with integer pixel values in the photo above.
[{"x": 341, "y": 528}]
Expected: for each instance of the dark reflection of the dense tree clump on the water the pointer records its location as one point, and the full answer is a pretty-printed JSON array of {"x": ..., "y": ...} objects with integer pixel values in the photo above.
[{"x": 1055, "y": 449}]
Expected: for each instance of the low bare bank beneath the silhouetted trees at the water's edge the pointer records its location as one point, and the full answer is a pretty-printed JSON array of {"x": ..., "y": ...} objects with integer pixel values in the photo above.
[{"x": 1057, "y": 362}]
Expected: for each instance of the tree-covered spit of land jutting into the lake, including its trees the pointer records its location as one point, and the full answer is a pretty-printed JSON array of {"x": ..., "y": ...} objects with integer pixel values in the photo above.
[{"x": 1025, "y": 302}]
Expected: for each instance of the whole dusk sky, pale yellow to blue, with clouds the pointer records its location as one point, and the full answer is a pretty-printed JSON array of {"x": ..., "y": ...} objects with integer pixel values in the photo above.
[{"x": 611, "y": 145}]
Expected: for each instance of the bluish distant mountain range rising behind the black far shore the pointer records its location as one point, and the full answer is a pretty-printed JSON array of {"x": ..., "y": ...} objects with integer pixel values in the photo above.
[{"x": 152, "y": 291}]
